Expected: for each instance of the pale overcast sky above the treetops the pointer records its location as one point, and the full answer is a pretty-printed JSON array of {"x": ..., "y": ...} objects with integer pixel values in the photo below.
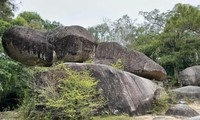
[{"x": 92, "y": 12}]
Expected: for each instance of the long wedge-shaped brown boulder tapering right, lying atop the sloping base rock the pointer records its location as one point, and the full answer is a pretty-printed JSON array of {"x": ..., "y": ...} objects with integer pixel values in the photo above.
[{"x": 133, "y": 61}]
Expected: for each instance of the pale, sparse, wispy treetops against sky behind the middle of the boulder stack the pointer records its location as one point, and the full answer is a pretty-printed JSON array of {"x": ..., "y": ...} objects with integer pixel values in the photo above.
[{"x": 121, "y": 30}]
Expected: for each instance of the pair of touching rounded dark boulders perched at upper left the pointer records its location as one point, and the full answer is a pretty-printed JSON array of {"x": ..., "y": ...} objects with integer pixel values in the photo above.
[{"x": 32, "y": 47}]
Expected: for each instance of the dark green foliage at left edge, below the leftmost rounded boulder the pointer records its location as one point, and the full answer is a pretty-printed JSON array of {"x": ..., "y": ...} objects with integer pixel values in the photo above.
[{"x": 14, "y": 79}]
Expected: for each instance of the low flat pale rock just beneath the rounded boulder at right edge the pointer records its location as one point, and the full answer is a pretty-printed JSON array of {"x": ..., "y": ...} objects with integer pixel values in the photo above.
[{"x": 192, "y": 92}]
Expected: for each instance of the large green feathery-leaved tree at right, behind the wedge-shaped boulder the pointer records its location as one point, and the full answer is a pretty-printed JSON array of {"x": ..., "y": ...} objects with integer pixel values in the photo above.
[{"x": 175, "y": 44}]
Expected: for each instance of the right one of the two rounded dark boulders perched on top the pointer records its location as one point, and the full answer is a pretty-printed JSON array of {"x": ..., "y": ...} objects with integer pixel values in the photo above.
[{"x": 71, "y": 44}]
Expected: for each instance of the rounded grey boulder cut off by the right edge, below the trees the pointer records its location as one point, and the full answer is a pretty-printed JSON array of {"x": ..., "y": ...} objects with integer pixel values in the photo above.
[{"x": 190, "y": 76}]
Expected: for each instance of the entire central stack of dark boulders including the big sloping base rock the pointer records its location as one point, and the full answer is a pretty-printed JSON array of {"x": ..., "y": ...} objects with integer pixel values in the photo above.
[{"x": 130, "y": 92}]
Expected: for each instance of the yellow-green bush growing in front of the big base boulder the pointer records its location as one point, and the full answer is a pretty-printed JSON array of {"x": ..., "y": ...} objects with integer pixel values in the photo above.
[{"x": 74, "y": 97}]
